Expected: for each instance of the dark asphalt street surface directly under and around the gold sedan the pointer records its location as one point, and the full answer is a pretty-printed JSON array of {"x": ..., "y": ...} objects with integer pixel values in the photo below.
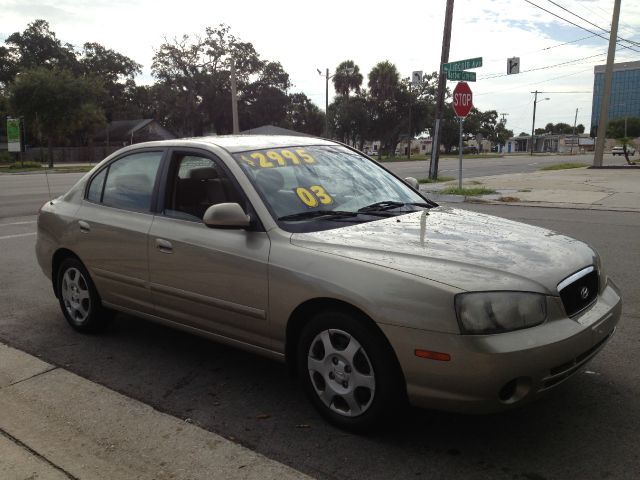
[{"x": 586, "y": 429}]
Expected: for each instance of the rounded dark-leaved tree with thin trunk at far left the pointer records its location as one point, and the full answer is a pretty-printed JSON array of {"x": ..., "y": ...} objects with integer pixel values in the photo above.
[{"x": 56, "y": 103}]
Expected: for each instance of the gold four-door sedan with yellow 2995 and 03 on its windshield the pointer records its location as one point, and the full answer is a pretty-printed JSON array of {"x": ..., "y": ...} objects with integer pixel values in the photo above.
[{"x": 307, "y": 251}]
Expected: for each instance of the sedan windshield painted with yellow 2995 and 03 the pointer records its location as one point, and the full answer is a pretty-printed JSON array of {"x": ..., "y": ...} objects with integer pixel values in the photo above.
[{"x": 322, "y": 187}]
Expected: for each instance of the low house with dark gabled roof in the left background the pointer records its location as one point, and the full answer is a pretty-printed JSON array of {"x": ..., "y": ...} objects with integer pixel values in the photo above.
[{"x": 127, "y": 132}]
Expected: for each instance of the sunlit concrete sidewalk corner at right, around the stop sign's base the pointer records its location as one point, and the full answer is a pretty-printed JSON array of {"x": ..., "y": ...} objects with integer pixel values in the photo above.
[{"x": 585, "y": 188}]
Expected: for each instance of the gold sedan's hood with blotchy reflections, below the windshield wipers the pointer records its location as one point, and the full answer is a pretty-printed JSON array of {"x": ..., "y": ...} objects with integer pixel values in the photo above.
[{"x": 467, "y": 250}]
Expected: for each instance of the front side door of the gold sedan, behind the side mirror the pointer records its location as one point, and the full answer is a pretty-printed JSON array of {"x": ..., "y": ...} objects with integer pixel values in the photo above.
[{"x": 211, "y": 279}]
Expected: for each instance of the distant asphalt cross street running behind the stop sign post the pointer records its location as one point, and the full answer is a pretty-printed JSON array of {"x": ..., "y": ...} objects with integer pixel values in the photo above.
[{"x": 481, "y": 167}]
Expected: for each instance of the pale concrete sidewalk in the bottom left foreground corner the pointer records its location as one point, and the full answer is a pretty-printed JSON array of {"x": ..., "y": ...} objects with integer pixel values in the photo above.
[{"x": 57, "y": 425}]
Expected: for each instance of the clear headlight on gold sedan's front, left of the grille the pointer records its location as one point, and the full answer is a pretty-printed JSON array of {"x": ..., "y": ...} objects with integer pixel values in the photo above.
[{"x": 498, "y": 312}]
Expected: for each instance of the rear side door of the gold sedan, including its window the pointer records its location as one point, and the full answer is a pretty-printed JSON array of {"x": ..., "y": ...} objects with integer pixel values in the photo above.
[{"x": 112, "y": 227}]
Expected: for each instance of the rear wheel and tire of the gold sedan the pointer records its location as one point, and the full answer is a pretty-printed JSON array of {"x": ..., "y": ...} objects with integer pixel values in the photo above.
[{"x": 79, "y": 299}]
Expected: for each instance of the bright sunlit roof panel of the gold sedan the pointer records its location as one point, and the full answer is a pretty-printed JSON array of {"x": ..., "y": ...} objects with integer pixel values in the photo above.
[{"x": 243, "y": 143}]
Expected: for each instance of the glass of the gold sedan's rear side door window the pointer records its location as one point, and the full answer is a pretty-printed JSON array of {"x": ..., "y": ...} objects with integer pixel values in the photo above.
[{"x": 130, "y": 181}]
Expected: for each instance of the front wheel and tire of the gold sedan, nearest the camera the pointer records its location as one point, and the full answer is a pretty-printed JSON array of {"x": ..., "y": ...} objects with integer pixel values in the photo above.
[{"x": 349, "y": 371}]
